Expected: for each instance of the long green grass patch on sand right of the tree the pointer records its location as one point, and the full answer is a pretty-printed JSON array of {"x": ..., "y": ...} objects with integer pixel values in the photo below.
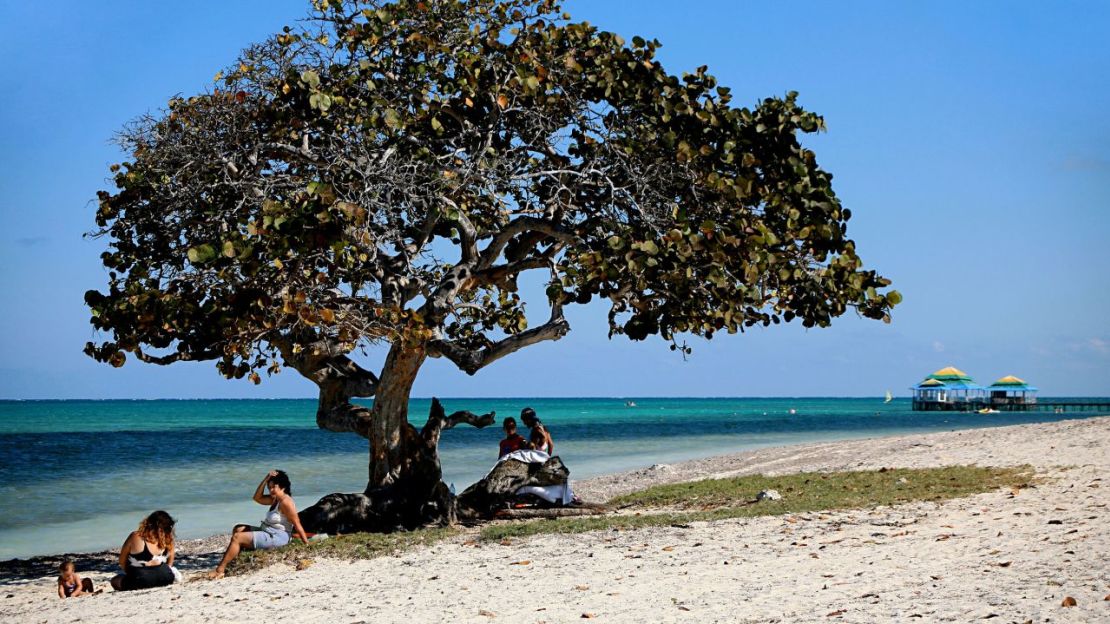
[{"x": 721, "y": 499}]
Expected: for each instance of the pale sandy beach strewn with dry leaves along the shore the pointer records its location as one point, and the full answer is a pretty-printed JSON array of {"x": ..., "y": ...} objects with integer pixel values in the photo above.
[{"x": 998, "y": 557}]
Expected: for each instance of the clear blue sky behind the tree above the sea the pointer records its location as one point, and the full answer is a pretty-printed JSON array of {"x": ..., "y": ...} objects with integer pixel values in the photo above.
[{"x": 971, "y": 140}]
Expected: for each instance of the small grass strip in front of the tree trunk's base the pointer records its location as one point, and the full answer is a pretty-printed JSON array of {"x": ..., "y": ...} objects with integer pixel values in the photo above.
[{"x": 357, "y": 546}]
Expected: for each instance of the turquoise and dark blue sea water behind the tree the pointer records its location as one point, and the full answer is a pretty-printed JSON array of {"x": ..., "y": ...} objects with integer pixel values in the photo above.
[{"x": 78, "y": 476}]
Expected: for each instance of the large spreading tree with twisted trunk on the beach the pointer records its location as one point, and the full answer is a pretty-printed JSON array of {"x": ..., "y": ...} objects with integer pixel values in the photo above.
[{"x": 386, "y": 173}]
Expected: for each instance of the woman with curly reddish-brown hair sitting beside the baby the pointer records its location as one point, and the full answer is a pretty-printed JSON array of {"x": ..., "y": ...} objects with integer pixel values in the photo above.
[{"x": 147, "y": 555}]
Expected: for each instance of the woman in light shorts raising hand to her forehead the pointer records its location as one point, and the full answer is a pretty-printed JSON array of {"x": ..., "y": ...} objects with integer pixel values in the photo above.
[{"x": 280, "y": 525}]
